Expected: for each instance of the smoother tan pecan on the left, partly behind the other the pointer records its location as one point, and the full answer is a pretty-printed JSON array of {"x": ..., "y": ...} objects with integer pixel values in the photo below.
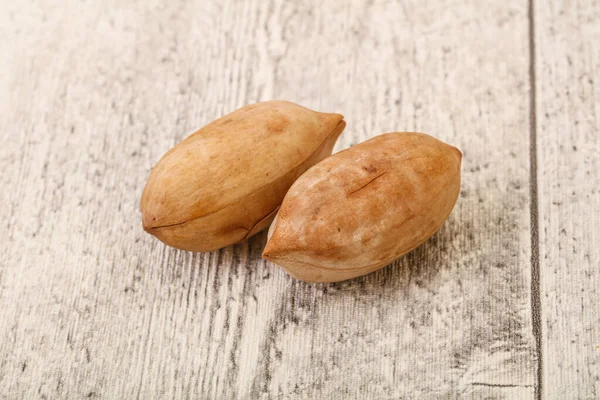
[{"x": 225, "y": 182}]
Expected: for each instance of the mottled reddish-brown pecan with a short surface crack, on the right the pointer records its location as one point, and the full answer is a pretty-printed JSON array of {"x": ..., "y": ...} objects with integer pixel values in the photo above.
[{"x": 362, "y": 208}]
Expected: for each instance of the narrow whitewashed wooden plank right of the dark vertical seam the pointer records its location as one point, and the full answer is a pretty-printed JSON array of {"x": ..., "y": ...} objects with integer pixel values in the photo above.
[{"x": 568, "y": 129}]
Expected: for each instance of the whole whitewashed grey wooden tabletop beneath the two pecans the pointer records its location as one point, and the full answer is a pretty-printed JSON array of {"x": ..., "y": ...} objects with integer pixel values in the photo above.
[{"x": 502, "y": 303}]
